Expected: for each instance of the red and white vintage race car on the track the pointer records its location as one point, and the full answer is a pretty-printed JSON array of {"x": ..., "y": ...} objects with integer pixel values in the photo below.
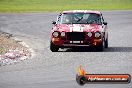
[{"x": 77, "y": 28}]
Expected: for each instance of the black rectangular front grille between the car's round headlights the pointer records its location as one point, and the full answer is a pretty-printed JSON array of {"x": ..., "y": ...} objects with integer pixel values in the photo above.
[{"x": 76, "y": 36}]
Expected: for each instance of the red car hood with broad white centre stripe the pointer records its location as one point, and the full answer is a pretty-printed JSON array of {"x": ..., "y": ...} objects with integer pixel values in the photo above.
[{"x": 78, "y": 27}]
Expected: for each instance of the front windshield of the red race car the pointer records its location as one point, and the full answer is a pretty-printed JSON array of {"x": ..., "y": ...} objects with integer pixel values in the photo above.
[{"x": 80, "y": 18}]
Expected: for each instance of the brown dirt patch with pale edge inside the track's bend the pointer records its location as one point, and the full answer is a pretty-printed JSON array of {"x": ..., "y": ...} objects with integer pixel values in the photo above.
[{"x": 11, "y": 51}]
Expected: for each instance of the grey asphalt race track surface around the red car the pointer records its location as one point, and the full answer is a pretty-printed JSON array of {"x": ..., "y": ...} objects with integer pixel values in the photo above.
[{"x": 57, "y": 70}]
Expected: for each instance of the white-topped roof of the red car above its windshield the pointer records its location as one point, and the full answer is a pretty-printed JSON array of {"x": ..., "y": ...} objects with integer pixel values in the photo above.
[{"x": 81, "y": 11}]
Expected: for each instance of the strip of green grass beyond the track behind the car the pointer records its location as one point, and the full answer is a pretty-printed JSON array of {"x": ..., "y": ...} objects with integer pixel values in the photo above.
[{"x": 60, "y": 5}]
